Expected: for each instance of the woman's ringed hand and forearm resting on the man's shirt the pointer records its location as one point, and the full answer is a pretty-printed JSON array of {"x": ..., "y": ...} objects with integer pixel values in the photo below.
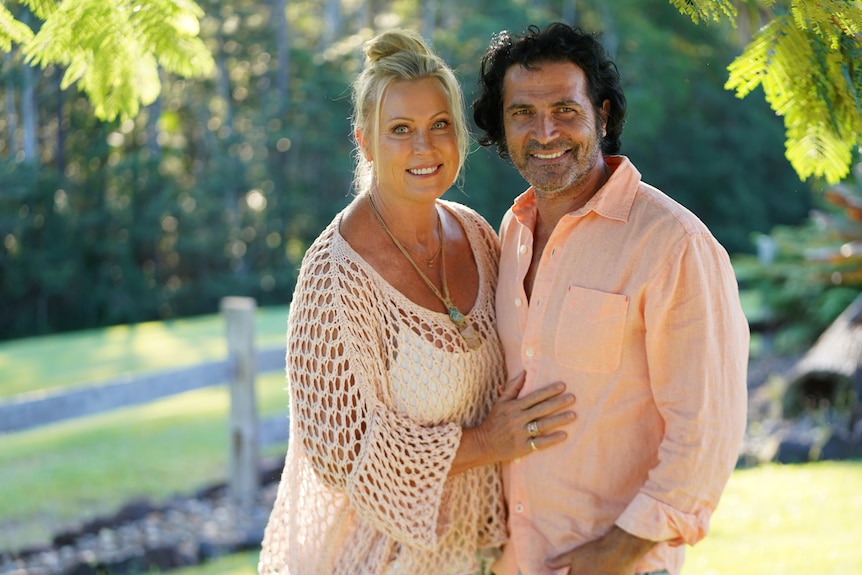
[{"x": 515, "y": 427}]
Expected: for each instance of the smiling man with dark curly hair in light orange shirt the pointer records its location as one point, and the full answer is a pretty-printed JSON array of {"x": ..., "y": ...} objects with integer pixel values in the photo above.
[{"x": 610, "y": 286}]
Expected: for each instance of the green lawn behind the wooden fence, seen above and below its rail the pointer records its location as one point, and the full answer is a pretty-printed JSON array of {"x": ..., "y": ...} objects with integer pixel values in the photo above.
[{"x": 79, "y": 469}]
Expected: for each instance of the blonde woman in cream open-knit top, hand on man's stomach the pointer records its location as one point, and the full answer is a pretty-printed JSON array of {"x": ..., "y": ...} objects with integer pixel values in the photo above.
[{"x": 393, "y": 361}]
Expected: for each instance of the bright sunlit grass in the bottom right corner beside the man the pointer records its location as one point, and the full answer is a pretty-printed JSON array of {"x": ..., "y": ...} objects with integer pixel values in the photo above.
[{"x": 800, "y": 519}]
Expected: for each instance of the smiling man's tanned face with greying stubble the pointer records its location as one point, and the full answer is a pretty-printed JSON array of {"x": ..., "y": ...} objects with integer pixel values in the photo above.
[{"x": 552, "y": 130}]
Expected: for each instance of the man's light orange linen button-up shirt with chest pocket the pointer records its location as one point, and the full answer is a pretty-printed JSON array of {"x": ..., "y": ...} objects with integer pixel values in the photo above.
[{"x": 636, "y": 308}]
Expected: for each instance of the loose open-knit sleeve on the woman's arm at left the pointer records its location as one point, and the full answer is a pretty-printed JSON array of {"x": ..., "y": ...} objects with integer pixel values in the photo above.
[{"x": 393, "y": 470}]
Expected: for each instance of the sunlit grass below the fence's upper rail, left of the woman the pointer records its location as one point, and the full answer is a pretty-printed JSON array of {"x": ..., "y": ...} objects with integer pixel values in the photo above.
[{"x": 77, "y": 470}]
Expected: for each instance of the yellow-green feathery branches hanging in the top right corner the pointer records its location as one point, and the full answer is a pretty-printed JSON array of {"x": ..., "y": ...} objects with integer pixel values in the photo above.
[{"x": 808, "y": 60}]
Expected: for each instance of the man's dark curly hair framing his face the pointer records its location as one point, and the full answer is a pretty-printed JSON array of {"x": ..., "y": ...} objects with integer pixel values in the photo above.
[{"x": 557, "y": 43}]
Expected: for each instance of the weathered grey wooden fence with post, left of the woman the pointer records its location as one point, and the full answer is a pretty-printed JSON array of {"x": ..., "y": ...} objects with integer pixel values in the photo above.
[{"x": 239, "y": 369}]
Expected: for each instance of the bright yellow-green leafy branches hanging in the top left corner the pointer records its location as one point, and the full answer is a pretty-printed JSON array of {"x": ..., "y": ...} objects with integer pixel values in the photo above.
[{"x": 112, "y": 48}]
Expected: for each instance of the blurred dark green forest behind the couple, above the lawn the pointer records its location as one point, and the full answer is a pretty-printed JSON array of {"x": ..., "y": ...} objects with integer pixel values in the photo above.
[{"x": 219, "y": 185}]
